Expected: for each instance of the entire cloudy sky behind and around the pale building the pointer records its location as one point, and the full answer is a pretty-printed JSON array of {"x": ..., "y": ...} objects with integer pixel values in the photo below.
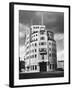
[{"x": 54, "y": 21}]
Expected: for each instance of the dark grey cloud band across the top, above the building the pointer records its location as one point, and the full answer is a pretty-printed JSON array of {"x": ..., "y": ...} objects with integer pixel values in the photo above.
[{"x": 52, "y": 20}]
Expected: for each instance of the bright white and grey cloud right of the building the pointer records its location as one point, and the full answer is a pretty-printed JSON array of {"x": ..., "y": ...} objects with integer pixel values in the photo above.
[{"x": 59, "y": 37}]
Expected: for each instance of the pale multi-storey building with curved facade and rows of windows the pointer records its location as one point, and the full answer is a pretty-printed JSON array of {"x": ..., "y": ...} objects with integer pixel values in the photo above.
[{"x": 40, "y": 50}]
